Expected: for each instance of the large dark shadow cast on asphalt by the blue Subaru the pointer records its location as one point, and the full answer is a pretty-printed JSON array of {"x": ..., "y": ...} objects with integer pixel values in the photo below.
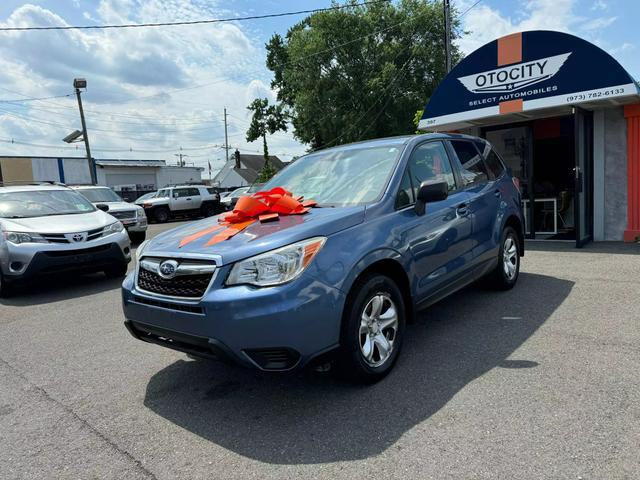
[{"x": 312, "y": 418}]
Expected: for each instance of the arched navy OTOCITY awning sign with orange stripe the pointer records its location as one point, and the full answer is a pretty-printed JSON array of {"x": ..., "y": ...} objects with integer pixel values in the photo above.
[{"x": 522, "y": 72}]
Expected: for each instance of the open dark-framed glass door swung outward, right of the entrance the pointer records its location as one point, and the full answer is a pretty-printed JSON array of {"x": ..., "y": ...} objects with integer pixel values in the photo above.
[{"x": 583, "y": 206}]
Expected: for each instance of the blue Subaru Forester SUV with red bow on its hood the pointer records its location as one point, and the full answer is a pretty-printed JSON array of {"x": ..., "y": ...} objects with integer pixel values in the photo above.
[{"x": 399, "y": 224}]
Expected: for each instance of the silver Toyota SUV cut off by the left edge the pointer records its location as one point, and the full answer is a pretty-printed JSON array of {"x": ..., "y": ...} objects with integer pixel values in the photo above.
[{"x": 48, "y": 229}]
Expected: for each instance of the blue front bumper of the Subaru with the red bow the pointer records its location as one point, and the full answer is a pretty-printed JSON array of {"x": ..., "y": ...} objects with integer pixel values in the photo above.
[{"x": 273, "y": 329}]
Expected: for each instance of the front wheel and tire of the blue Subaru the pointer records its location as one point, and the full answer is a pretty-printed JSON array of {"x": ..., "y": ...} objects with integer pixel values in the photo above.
[{"x": 364, "y": 336}]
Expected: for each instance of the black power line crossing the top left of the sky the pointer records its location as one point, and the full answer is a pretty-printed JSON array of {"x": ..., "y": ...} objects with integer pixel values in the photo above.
[{"x": 191, "y": 22}]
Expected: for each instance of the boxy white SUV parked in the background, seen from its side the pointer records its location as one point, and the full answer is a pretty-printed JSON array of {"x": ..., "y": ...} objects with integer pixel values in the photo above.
[{"x": 182, "y": 201}]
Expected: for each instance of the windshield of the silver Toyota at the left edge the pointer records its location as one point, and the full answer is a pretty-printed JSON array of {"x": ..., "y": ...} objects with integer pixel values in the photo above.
[{"x": 42, "y": 203}]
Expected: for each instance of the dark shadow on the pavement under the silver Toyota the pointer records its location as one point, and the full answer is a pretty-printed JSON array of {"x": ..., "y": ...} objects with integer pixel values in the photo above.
[{"x": 59, "y": 288}]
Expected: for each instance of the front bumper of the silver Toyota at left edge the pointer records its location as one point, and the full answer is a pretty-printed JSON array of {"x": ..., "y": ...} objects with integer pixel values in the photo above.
[{"x": 26, "y": 261}]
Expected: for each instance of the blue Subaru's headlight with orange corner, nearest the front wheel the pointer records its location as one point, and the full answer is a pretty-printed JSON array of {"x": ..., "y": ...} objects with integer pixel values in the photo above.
[{"x": 276, "y": 267}]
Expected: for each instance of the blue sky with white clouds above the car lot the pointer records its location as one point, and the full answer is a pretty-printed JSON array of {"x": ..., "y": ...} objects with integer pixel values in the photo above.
[{"x": 157, "y": 92}]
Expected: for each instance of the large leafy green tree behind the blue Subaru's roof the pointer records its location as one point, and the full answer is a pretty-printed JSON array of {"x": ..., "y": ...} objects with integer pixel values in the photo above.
[{"x": 360, "y": 72}]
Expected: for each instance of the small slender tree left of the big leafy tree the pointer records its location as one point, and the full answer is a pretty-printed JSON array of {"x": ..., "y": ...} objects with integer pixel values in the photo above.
[{"x": 266, "y": 119}]
